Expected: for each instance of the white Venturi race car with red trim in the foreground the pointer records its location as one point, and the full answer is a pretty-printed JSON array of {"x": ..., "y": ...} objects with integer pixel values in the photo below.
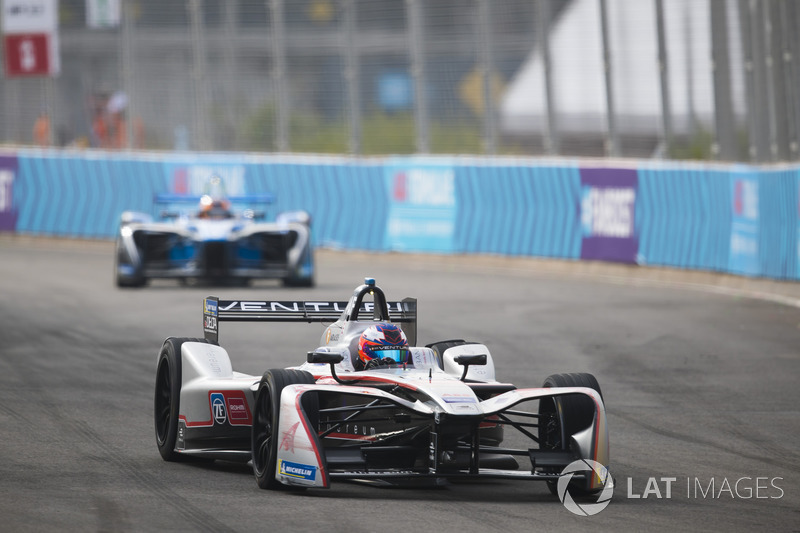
[{"x": 438, "y": 414}]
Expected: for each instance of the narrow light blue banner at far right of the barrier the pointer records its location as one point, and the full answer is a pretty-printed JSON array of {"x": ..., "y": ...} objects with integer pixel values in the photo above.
[{"x": 743, "y": 256}]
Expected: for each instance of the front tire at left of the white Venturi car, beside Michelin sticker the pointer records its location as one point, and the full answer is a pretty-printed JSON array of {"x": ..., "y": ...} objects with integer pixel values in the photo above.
[{"x": 266, "y": 420}]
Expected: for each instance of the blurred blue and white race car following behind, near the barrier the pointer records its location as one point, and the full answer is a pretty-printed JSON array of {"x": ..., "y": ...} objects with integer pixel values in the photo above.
[{"x": 214, "y": 242}]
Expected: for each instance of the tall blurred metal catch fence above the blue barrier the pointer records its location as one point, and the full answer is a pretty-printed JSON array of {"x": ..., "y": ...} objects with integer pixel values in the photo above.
[{"x": 680, "y": 79}]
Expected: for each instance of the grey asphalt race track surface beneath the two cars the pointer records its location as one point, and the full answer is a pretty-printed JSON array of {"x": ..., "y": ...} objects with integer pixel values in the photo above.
[{"x": 700, "y": 380}]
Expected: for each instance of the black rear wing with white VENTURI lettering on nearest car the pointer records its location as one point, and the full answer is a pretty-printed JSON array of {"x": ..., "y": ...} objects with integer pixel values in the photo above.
[{"x": 216, "y": 311}]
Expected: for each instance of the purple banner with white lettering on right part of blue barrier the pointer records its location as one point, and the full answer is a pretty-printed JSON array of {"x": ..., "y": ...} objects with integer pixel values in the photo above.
[{"x": 607, "y": 210}]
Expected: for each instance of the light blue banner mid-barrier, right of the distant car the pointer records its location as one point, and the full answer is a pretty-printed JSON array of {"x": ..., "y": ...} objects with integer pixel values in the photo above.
[{"x": 422, "y": 205}]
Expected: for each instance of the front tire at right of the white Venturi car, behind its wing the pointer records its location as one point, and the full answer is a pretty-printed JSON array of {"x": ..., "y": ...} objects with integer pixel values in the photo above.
[{"x": 577, "y": 413}]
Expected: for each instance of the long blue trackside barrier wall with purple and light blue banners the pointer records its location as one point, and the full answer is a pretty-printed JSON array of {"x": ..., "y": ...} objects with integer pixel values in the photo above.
[{"x": 736, "y": 219}]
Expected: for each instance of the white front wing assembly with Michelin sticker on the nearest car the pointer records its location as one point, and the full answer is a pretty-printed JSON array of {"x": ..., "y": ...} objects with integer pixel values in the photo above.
[{"x": 306, "y": 459}]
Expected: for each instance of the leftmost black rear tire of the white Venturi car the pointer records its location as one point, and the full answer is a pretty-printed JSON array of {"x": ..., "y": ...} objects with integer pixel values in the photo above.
[{"x": 166, "y": 405}]
